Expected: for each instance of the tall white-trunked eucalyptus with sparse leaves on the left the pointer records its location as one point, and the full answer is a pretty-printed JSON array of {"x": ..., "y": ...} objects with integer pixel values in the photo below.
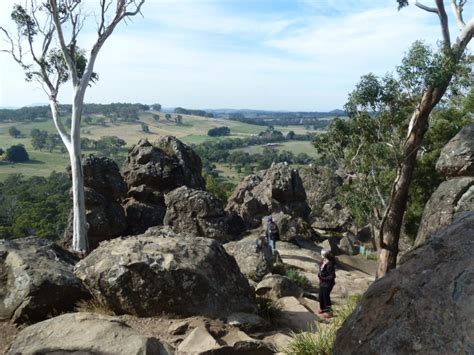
[{"x": 45, "y": 45}]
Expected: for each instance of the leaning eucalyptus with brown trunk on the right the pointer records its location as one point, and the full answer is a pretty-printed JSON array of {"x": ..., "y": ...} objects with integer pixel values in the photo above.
[{"x": 432, "y": 88}]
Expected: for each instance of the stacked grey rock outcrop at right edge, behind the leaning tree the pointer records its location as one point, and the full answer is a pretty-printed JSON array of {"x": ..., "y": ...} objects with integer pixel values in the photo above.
[{"x": 456, "y": 195}]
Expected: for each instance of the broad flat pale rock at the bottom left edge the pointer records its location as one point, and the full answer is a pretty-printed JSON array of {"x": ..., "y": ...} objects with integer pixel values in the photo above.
[{"x": 85, "y": 333}]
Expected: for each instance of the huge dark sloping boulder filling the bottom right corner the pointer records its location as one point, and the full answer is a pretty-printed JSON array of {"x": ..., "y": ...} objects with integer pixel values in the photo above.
[{"x": 424, "y": 306}]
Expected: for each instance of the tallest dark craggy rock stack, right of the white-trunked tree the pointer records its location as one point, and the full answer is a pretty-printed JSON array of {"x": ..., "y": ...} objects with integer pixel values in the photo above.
[{"x": 150, "y": 171}]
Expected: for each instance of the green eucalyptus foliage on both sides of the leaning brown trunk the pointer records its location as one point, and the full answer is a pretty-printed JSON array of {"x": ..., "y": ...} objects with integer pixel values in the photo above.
[{"x": 368, "y": 145}]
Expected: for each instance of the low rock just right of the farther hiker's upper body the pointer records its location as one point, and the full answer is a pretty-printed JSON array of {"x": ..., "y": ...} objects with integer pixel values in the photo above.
[{"x": 292, "y": 228}]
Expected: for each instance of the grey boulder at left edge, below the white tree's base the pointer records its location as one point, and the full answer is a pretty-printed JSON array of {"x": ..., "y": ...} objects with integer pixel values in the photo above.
[{"x": 36, "y": 280}]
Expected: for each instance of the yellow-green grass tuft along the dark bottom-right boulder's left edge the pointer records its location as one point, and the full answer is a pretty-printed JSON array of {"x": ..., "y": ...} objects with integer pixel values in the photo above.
[{"x": 321, "y": 340}]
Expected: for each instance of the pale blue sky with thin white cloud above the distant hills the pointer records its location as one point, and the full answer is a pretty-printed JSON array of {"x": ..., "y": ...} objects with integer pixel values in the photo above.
[{"x": 295, "y": 55}]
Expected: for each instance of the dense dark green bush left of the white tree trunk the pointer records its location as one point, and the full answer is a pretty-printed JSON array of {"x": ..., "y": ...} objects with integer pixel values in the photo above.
[{"x": 34, "y": 206}]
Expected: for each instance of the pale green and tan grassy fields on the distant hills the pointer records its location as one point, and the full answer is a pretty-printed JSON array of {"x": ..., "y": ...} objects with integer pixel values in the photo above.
[{"x": 193, "y": 131}]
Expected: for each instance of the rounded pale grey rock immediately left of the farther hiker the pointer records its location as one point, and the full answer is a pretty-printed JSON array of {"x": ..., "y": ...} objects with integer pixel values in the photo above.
[{"x": 253, "y": 255}]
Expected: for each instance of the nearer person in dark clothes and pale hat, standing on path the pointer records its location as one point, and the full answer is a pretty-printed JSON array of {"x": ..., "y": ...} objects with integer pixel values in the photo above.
[{"x": 327, "y": 279}]
